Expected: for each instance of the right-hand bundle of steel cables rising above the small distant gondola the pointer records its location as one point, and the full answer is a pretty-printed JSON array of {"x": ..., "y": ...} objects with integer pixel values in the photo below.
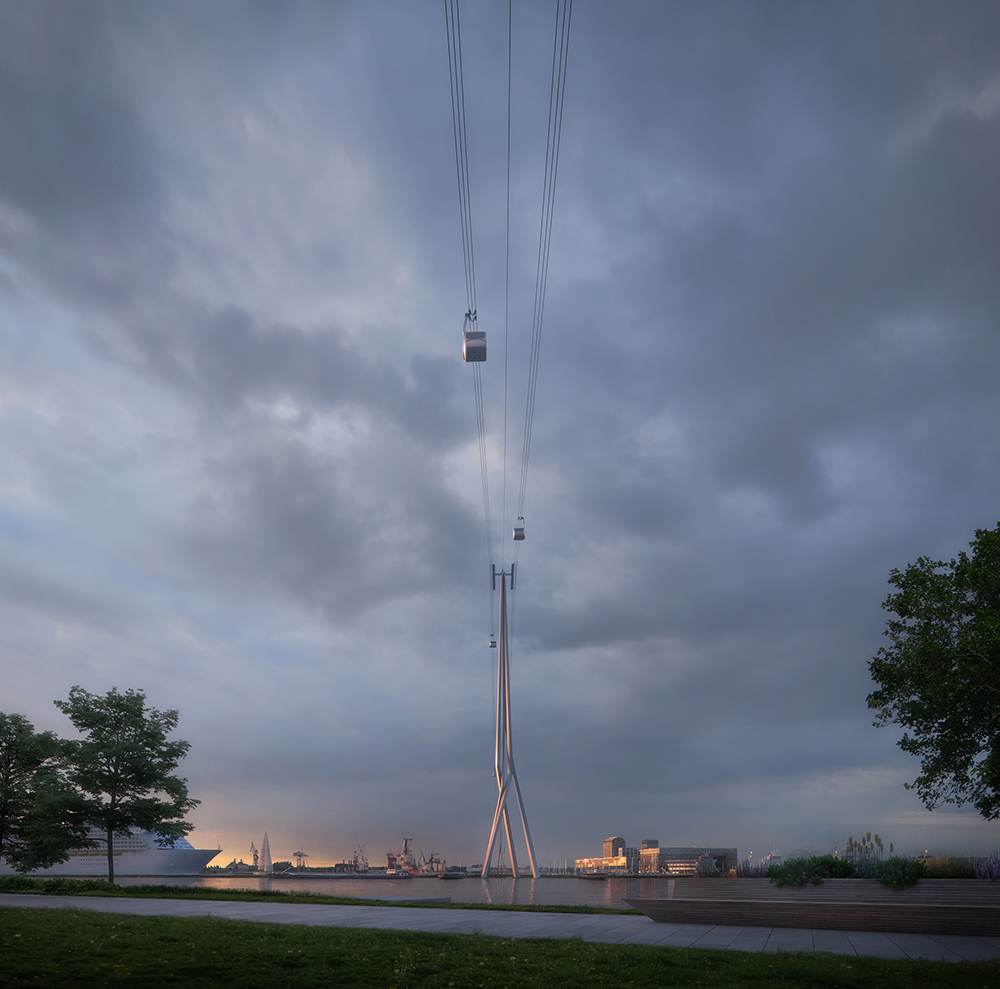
[{"x": 557, "y": 94}]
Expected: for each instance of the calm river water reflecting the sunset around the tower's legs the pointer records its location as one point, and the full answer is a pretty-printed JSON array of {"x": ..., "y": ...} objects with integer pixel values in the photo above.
[{"x": 547, "y": 891}]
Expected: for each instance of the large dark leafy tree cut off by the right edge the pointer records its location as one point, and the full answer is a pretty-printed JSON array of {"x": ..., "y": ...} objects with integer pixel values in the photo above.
[{"x": 940, "y": 678}]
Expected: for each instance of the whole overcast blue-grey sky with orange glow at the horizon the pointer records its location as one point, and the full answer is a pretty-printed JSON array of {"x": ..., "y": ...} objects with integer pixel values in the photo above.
[{"x": 238, "y": 457}]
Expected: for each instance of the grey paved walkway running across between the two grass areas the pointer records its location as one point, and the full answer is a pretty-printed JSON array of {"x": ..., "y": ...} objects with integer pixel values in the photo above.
[{"x": 608, "y": 928}]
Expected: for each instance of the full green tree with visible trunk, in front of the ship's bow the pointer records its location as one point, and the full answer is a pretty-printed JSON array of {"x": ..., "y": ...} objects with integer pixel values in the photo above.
[{"x": 124, "y": 765}]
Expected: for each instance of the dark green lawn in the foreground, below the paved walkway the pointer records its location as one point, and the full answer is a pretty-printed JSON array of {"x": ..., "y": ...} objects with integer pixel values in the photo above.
[{"x": 74, "y": 948}]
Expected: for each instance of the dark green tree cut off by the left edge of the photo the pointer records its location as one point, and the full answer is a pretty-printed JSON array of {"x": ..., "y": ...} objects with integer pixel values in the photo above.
[{"x": 41, "y": 816}]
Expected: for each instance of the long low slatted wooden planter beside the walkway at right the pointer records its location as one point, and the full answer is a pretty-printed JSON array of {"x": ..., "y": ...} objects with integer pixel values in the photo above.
[{"x": 933, "y": 906}]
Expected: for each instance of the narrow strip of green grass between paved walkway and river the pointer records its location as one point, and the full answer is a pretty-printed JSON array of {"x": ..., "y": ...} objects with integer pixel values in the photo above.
[{"x": 100, "y": 887}]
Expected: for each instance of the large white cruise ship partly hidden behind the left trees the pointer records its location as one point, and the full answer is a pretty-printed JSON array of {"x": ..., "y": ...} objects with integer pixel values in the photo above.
[{"x": 135, "y": 854}]
